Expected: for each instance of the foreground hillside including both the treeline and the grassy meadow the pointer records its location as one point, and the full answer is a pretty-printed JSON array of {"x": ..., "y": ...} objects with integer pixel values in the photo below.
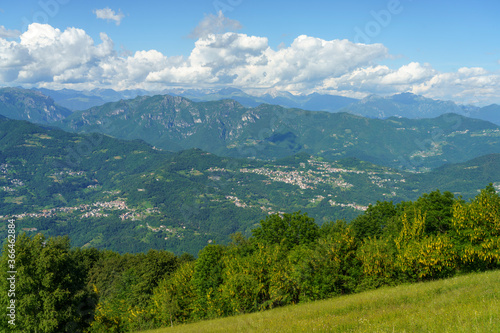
[{"x": 289, "y": 259}]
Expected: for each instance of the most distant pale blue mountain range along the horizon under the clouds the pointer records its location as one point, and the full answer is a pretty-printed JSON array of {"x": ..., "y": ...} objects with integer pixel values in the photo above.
[{"x": 405, "y": 105}]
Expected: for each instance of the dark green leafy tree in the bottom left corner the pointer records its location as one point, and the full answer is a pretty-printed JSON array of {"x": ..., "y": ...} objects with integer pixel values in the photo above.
[{"x": 51, "y": 293}]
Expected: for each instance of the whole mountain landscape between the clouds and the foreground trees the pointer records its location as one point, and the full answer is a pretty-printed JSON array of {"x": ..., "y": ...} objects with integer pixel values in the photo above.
[{"x": 165, "y": 171}]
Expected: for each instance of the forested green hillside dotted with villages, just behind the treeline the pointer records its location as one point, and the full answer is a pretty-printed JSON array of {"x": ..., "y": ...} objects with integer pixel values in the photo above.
[{"x": 130, "y": 197}]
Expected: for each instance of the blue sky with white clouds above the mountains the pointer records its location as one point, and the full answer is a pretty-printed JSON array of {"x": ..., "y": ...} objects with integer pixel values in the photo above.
[{"x": 448, "y": 50}]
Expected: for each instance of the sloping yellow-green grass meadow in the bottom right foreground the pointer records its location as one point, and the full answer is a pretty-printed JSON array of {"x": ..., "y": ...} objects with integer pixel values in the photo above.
[{"x": 469, "y": 303}]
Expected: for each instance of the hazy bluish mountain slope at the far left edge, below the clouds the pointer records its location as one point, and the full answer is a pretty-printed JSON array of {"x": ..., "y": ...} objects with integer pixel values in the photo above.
[{"x": 24, "y": 104}]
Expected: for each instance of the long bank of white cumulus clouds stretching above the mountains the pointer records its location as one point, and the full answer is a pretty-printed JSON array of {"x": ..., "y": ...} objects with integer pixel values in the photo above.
[{"x": 46, "y": 56}]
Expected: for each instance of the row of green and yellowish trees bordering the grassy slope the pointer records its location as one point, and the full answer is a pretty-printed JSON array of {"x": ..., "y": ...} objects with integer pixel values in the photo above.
[{"x": 289, "y": 259}]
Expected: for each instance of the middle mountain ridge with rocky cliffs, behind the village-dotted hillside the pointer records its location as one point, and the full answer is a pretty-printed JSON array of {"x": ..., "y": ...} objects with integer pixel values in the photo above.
[{"x": 268, "y": 132}]
